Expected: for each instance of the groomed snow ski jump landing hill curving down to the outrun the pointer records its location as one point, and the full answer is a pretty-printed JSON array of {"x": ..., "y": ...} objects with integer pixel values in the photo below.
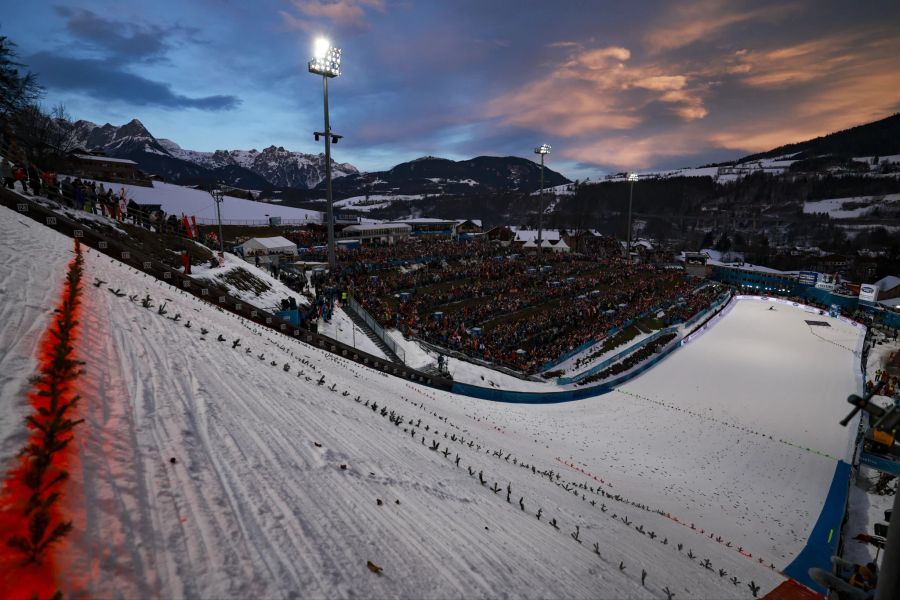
[{"x": 704, "y": 475}]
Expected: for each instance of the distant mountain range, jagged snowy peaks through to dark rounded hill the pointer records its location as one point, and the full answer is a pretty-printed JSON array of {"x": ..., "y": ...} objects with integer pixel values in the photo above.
[{"x": 301, "y": 175}]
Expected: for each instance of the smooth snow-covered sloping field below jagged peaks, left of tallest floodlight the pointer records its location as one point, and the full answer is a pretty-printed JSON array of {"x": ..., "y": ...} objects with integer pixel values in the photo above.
[{"x": 177, "y": 200}]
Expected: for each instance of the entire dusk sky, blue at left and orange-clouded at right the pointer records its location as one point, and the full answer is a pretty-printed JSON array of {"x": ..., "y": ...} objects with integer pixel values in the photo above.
[{"x": 610, "y": 85}]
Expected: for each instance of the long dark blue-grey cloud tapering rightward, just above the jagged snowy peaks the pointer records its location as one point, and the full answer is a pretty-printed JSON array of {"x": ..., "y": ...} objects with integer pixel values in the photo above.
[{"x": 107, "y": 81}]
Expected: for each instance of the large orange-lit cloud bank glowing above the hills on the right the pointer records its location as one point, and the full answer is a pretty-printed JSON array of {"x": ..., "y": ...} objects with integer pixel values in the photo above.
[{"x": 793, "y": 93}]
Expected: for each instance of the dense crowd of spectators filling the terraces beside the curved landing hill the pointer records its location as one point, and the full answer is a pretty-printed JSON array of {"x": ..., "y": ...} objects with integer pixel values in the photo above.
[{"x": 507, "y": 307}]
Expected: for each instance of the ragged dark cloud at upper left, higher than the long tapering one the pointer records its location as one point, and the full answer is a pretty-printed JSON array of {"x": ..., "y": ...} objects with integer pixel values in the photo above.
[{"x": 121, "y": 40}]
